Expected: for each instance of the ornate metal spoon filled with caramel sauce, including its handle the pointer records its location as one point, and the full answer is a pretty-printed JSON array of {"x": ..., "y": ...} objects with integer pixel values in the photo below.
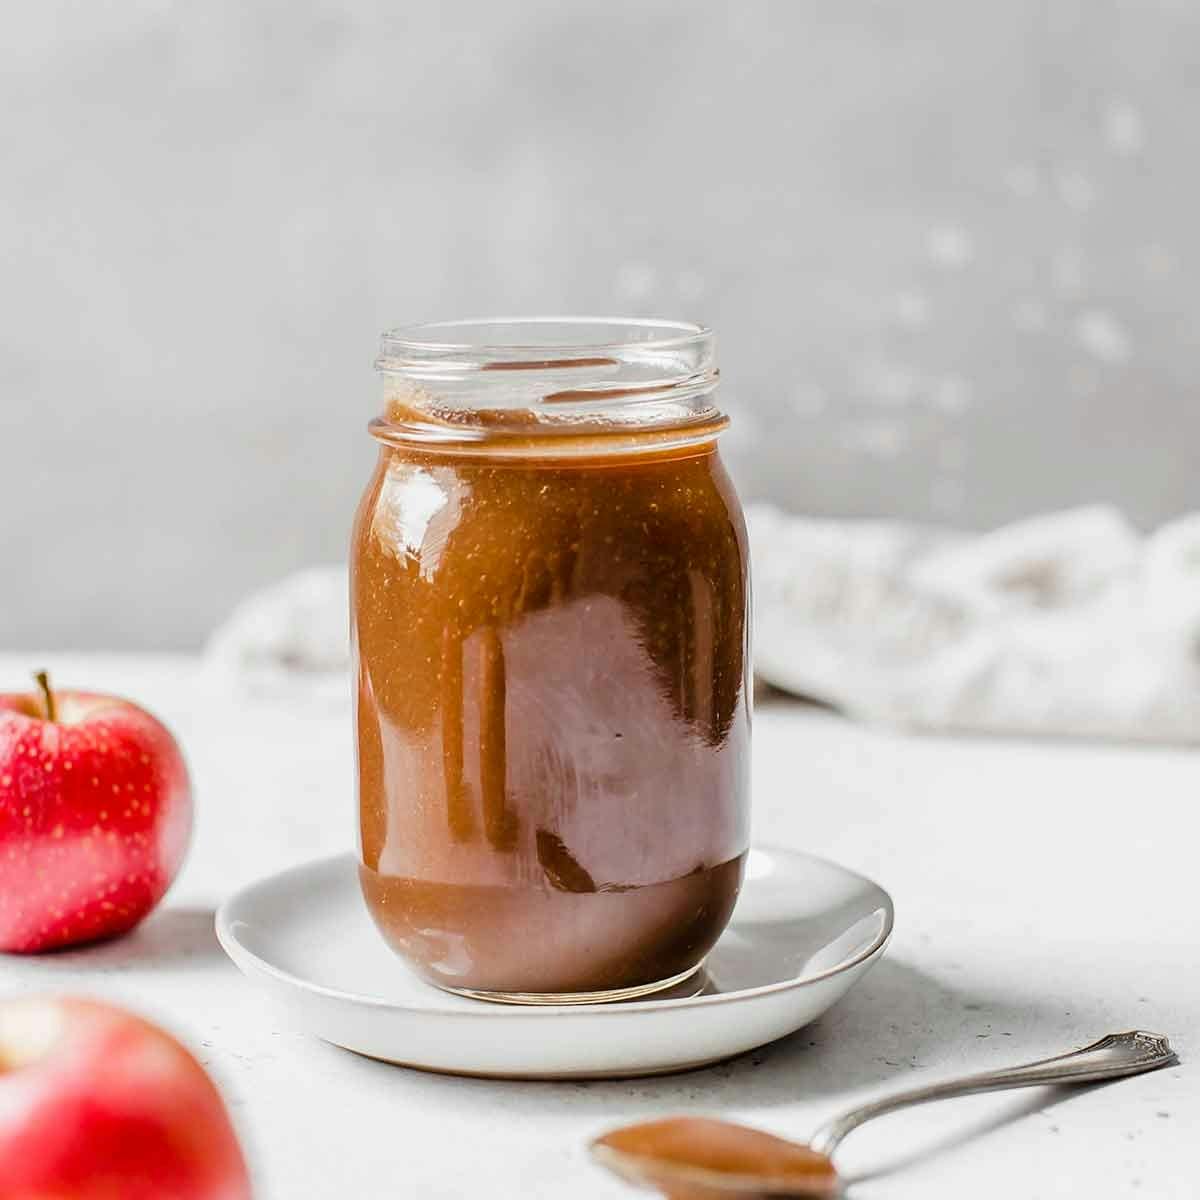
[{"x": 699, "y": 1159}]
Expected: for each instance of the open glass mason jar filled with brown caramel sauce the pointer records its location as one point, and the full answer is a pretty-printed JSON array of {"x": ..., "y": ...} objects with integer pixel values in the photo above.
[{"x": 549, "y": 586}]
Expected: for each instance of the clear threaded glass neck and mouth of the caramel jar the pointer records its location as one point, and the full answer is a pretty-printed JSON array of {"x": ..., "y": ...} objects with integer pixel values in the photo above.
[{"x": 507, "y": 379}]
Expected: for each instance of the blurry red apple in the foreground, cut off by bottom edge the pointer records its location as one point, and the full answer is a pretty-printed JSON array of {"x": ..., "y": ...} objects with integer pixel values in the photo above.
[{"x": 97, "y": 1103}]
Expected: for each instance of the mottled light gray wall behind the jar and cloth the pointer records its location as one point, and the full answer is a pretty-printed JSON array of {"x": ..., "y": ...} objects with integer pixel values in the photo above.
[{"x": 949, "y": 247}]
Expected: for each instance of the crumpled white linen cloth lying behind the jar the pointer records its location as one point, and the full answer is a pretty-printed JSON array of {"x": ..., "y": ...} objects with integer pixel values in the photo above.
[{"x": 1072, "y": 623}]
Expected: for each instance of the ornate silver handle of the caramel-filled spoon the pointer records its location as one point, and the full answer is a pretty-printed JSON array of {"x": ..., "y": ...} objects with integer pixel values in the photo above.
[{"x": 1112, "y": 1058}]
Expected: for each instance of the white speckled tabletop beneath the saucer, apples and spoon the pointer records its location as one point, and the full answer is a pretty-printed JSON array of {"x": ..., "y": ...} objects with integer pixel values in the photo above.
[{"x": 1042, "y": 897}]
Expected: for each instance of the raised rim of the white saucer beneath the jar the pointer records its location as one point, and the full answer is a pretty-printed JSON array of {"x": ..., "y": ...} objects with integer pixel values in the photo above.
[{"x": 243, "y": 958}]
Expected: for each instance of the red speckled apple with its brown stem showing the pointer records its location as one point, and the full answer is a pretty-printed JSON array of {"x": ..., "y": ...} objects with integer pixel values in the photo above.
[{"x": 95, "y": 815}]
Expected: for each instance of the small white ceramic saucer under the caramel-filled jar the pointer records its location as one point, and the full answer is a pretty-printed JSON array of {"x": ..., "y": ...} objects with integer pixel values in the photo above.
[{"x": 805, "y": 931}]
